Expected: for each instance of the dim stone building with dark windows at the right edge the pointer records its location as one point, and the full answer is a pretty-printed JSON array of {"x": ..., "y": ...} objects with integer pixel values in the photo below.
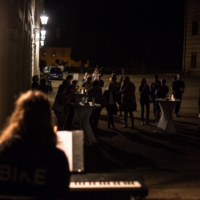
[{"x": 191, "y": 44}]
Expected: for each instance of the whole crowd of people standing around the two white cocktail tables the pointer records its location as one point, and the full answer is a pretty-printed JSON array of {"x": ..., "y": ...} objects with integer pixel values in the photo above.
[{"x": 119, "y": 96}]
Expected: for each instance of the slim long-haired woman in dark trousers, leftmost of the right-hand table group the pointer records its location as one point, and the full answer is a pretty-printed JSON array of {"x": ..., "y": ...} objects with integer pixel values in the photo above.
[{"x": 144, "y": 100}]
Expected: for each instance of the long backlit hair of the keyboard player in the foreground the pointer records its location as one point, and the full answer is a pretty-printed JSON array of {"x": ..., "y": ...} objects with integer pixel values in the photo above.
[{"x": 31, "y": 120}]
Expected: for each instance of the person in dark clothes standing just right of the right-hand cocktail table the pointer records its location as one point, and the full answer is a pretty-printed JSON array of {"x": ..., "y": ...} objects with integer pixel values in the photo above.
[{"x": 178, "y": 90}]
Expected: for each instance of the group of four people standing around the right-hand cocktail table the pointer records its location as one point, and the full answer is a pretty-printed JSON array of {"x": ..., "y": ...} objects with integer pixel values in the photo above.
[{"x": 158, "y": 89}]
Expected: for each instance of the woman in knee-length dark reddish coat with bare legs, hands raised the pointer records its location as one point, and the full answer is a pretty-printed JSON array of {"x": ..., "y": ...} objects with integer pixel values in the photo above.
[{"x": 128, "y": 100}]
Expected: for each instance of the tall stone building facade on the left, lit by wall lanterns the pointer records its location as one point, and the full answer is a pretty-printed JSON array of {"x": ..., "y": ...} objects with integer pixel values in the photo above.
[{"x": 19, "y": 50}]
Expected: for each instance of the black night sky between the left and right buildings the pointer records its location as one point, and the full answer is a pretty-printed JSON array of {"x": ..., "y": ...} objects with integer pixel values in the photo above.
[{"x": 119, "y": 31}]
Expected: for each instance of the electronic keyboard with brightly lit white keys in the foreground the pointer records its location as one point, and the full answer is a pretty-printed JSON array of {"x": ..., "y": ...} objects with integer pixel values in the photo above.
[{"x": 104, "y": 186}]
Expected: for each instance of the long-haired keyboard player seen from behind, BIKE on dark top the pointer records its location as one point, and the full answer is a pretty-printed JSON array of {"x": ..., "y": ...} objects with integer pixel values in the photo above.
[{"x": 30, "y": 163}]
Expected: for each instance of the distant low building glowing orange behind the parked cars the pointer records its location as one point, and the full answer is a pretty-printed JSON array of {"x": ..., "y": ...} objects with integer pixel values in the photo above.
[{"x": 50, "y": 54}]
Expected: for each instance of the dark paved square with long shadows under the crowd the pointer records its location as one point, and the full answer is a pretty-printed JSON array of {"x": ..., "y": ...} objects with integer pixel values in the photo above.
[{"x": 169, "y": 164}]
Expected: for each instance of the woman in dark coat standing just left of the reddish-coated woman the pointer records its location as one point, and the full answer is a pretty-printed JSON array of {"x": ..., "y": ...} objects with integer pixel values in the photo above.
[{"x": 111, "y": 107}]
